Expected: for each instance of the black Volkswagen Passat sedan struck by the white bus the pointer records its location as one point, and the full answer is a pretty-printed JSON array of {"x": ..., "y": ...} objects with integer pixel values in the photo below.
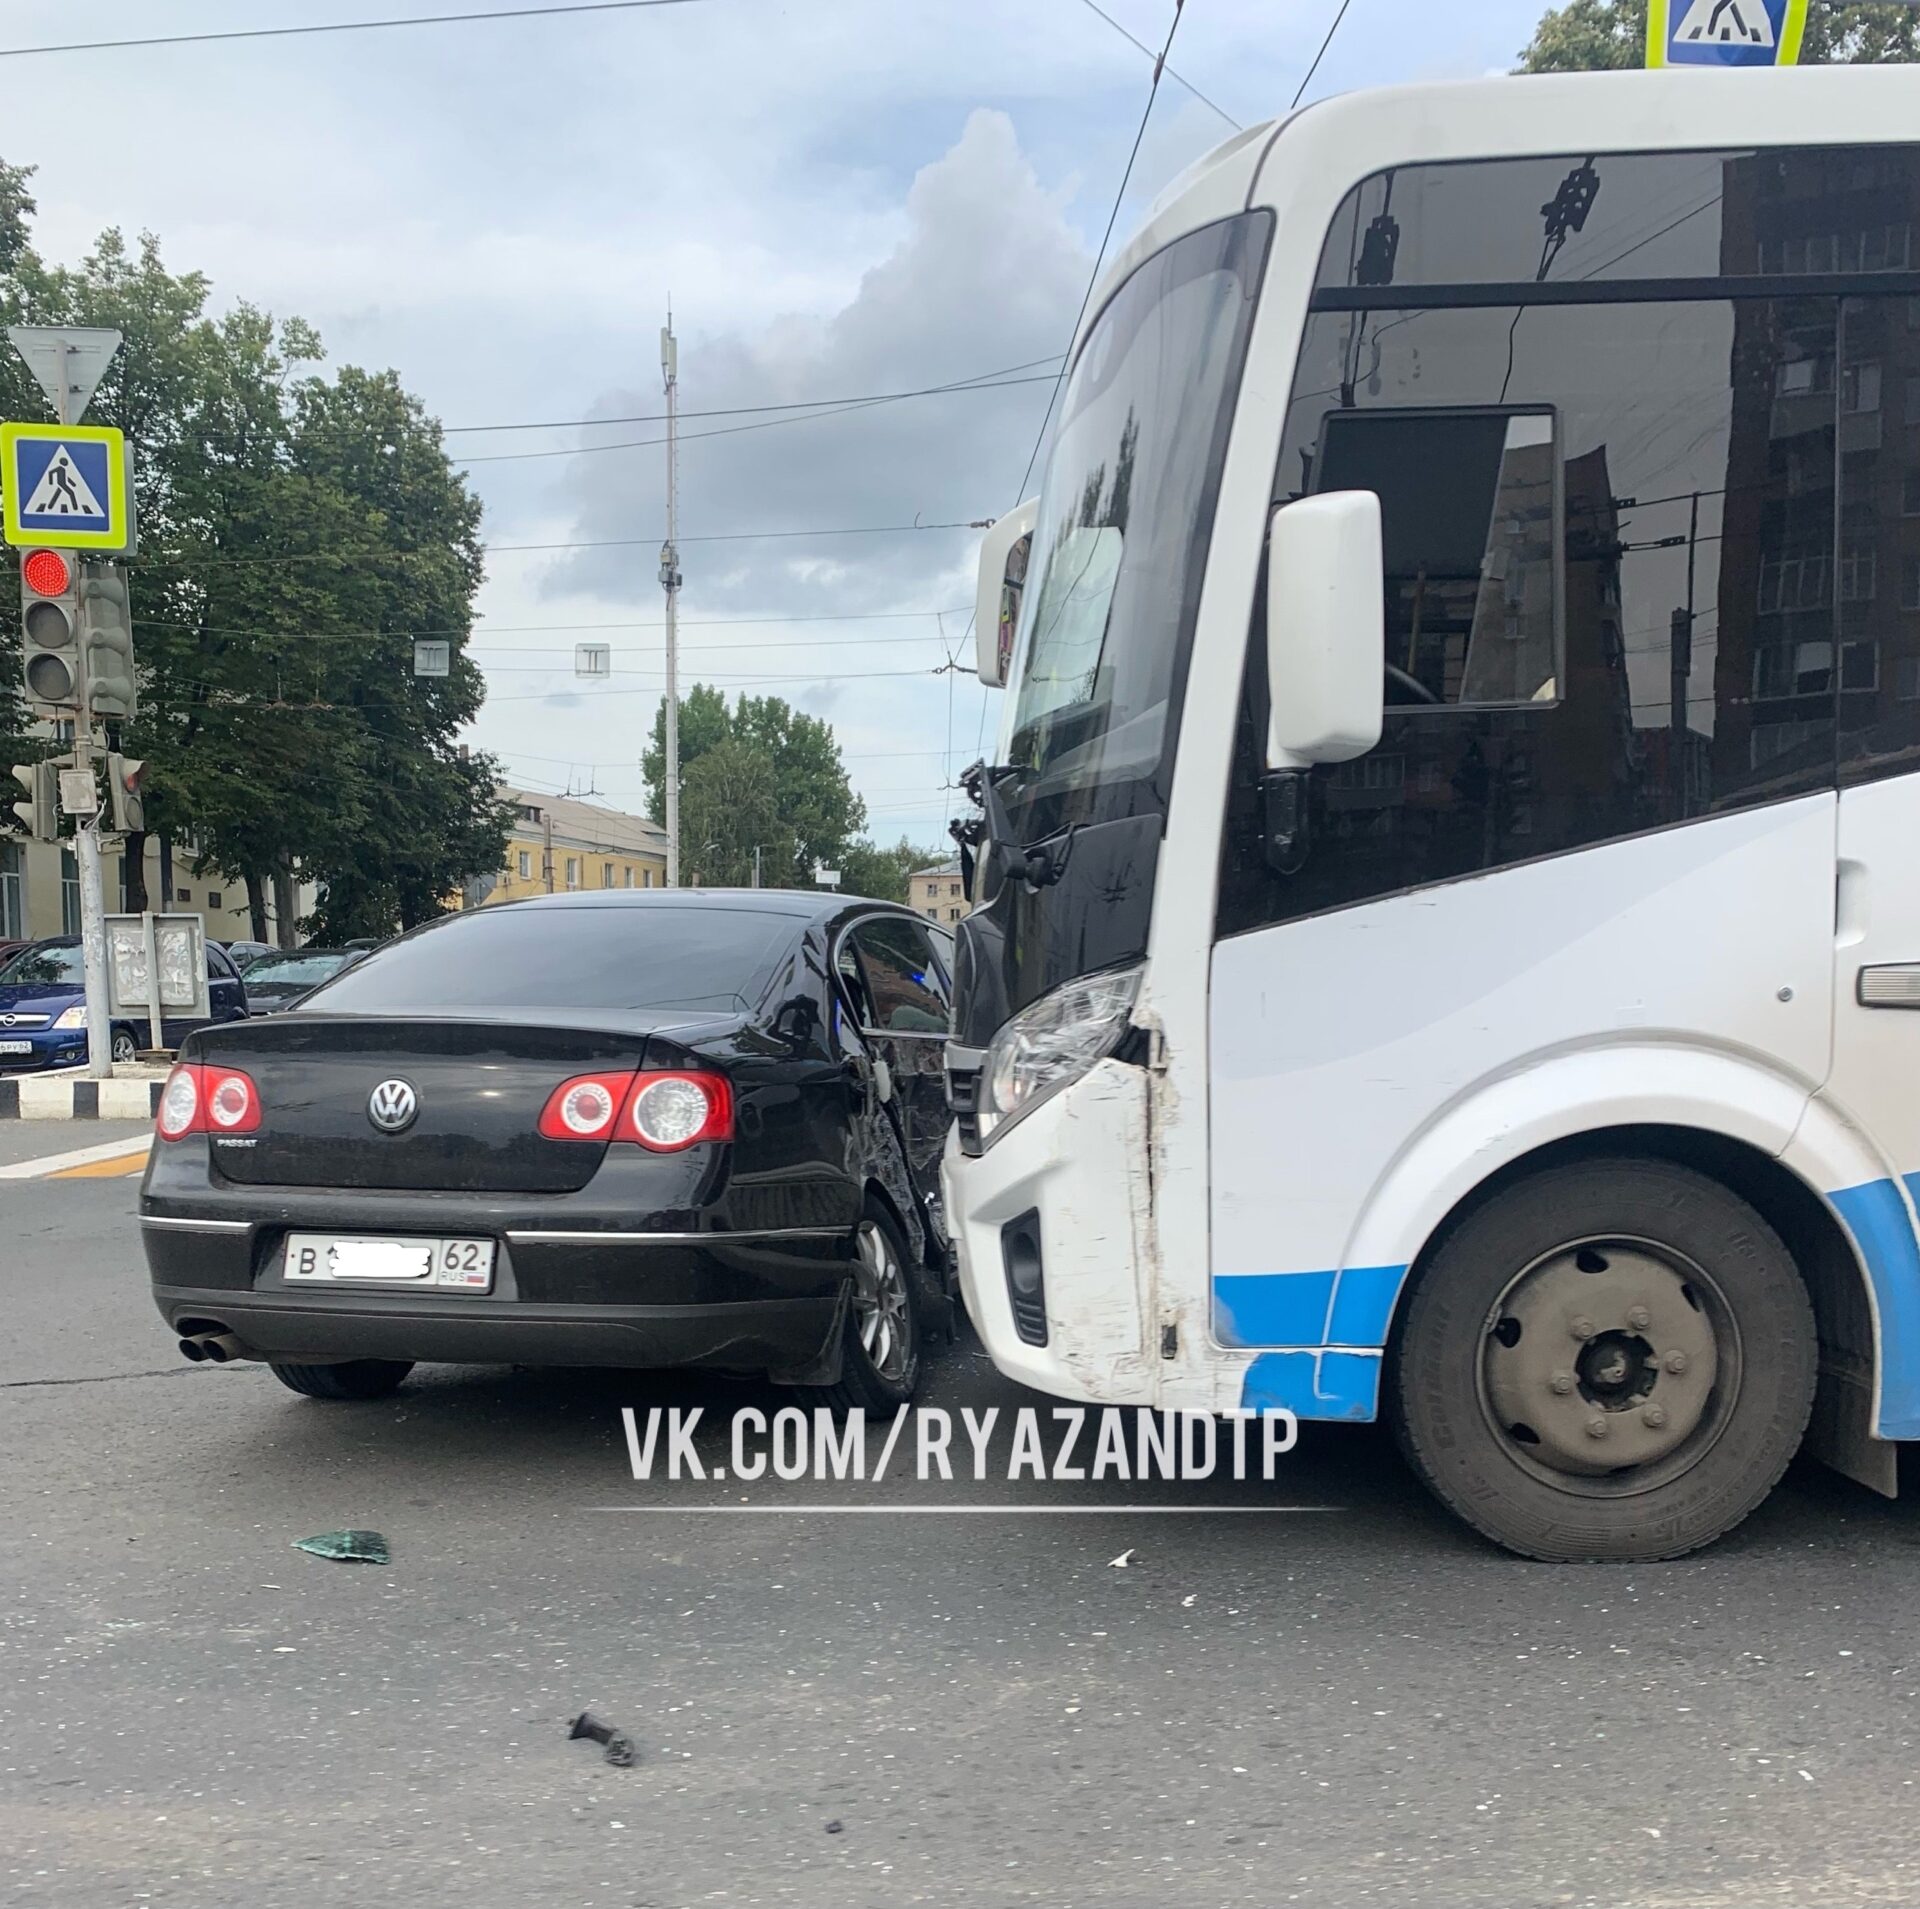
[{"x": 660, "y": 1128}]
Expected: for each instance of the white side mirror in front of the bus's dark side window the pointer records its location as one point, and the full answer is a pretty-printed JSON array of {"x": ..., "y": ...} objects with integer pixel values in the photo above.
[{"x": 1326, "y": 631}]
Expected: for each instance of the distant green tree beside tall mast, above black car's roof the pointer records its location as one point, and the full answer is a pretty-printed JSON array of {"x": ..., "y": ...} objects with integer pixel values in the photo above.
[{"x": 819, "y": 810}]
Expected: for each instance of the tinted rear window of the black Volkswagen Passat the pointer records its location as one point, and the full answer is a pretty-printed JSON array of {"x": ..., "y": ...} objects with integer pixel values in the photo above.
[{"x": 590, "y": 959}]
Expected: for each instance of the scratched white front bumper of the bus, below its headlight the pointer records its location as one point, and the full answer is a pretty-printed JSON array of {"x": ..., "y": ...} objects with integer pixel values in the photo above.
[{"x": 1051, "y": 1224}]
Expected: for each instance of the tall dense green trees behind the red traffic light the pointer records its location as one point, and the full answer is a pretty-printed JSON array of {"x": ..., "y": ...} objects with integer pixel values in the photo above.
[{"x": 295, "y": 535}]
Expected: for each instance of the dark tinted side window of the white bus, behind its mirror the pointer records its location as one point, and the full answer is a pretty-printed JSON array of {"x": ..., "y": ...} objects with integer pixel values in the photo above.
[{"x": 1733, "y": 566}]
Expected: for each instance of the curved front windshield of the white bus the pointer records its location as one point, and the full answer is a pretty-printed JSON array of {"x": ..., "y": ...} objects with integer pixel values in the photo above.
[{"x": 1122, "y": 533}]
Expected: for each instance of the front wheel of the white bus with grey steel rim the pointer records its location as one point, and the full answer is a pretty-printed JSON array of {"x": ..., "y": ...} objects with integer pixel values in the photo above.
[{"x": 1606, "y": 1361}]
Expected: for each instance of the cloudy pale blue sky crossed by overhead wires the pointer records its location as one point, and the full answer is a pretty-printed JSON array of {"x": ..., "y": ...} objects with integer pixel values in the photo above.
[{"x": 842, "y": 199}]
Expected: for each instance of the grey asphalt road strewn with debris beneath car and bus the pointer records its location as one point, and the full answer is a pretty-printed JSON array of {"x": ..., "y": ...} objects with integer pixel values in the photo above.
[{"x": 1341, "y": 1706}]
